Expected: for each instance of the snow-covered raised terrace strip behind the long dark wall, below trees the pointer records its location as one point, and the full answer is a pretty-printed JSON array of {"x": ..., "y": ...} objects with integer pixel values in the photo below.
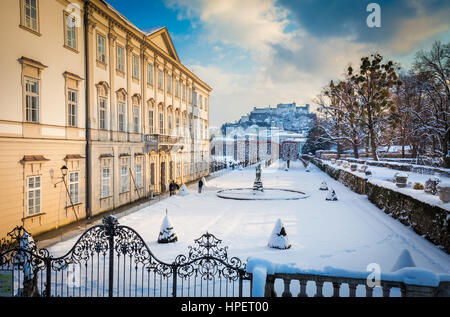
[{"x": 383, "y": 176}]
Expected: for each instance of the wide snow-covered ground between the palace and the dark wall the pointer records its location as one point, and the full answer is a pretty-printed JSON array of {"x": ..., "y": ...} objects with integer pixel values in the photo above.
[{"x": 349, "y": 233}]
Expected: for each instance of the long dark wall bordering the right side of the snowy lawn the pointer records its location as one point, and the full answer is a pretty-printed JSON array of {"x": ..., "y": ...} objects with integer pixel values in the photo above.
[{"x": 426, "y": 220}]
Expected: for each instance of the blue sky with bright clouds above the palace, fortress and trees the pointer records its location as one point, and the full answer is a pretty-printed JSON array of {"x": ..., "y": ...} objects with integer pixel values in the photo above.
[{"x": 264, "y": 52}]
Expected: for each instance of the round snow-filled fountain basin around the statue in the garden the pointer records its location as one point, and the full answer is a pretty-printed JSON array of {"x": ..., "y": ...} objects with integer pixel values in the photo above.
[{"x": 268, "y": 194}]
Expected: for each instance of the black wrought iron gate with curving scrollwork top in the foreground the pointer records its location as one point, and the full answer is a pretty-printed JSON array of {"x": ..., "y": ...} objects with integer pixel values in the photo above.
[{"x": 113, "y": 260}]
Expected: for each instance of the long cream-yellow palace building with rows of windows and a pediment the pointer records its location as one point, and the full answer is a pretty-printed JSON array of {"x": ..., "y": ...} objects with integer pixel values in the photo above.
[{"x": 94, "y": 113}]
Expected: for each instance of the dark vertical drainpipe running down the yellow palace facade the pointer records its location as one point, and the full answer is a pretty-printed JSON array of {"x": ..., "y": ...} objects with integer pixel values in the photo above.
[{"x": 87, "y": 108}]
